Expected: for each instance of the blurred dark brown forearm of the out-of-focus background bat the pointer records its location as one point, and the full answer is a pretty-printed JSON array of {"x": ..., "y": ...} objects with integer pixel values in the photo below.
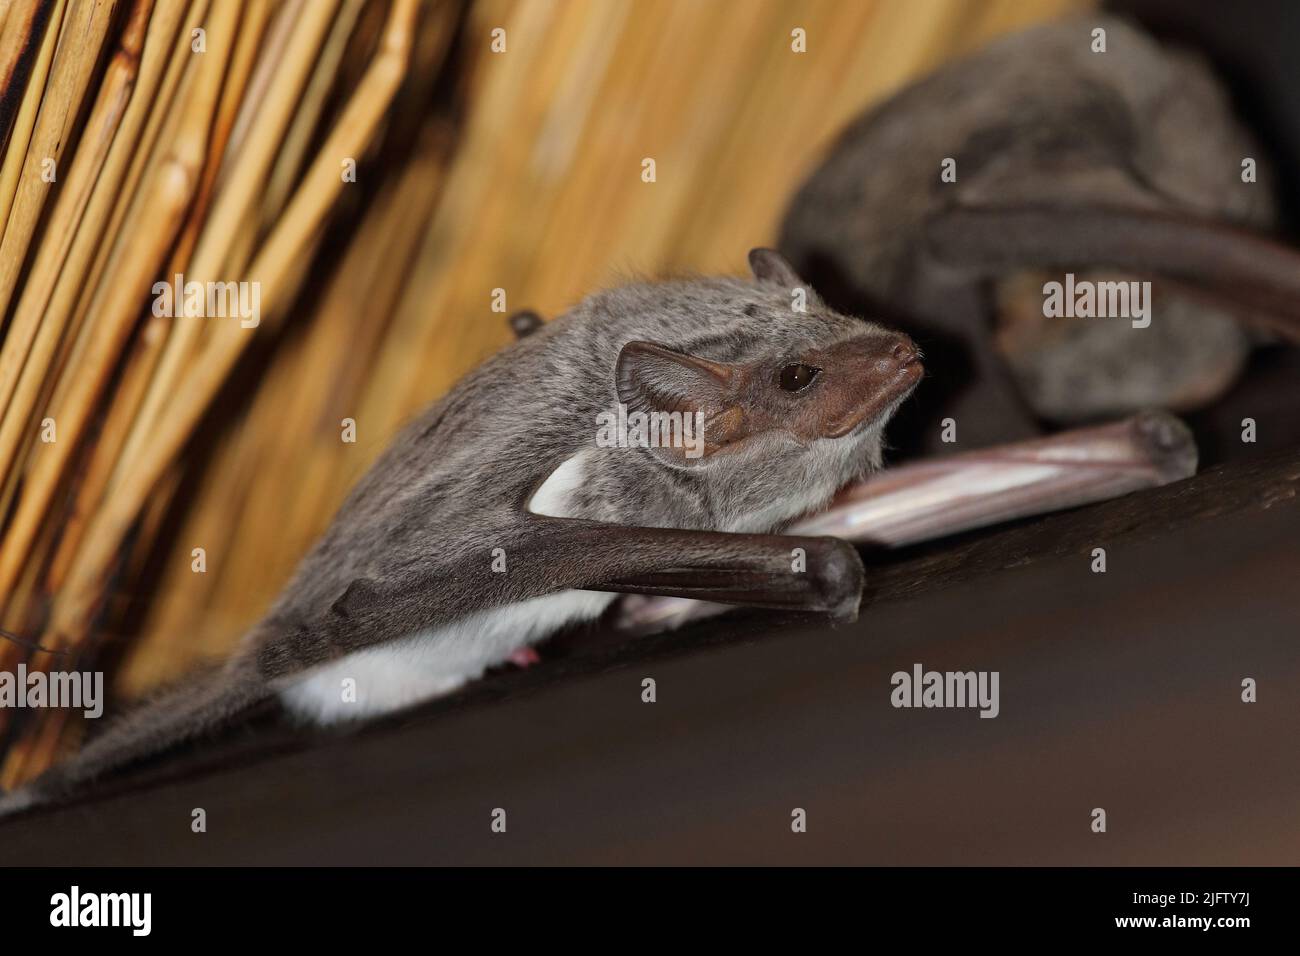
[{"x": 1251, "y": 274}]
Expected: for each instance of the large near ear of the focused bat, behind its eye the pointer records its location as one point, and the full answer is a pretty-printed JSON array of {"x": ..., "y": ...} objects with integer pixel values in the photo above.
[{"x": 653, "y": 379}]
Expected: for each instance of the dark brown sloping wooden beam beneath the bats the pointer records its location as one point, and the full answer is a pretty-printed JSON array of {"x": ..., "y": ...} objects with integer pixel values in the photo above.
[{"x": 1120, "y": 691}]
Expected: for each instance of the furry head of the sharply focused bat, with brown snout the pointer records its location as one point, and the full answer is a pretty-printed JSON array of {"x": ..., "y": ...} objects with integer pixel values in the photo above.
[{"x": 770, "y": 400}]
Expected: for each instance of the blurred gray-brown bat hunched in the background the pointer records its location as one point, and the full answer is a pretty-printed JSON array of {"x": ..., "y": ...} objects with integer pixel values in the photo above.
[{"x": 1117, "y": 166}]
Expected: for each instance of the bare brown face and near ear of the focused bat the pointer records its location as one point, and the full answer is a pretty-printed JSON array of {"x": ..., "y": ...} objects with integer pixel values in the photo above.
[{"x": 821, "y": 393}]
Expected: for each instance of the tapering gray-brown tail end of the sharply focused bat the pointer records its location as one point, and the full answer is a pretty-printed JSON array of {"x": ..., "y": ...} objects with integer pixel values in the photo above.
[{"x": 180, "y": 715}]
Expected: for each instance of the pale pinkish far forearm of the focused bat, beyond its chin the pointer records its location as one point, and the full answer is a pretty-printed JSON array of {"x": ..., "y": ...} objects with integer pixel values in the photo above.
[{"x": 944, "y": 496}]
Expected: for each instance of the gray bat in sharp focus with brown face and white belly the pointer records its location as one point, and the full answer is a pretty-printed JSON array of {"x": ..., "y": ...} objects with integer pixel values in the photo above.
[{"x": 501, "y": 514}]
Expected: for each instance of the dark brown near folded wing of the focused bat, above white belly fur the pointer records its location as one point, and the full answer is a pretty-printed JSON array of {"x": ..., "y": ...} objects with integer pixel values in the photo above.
[{"x": 552, "y": 555}]
